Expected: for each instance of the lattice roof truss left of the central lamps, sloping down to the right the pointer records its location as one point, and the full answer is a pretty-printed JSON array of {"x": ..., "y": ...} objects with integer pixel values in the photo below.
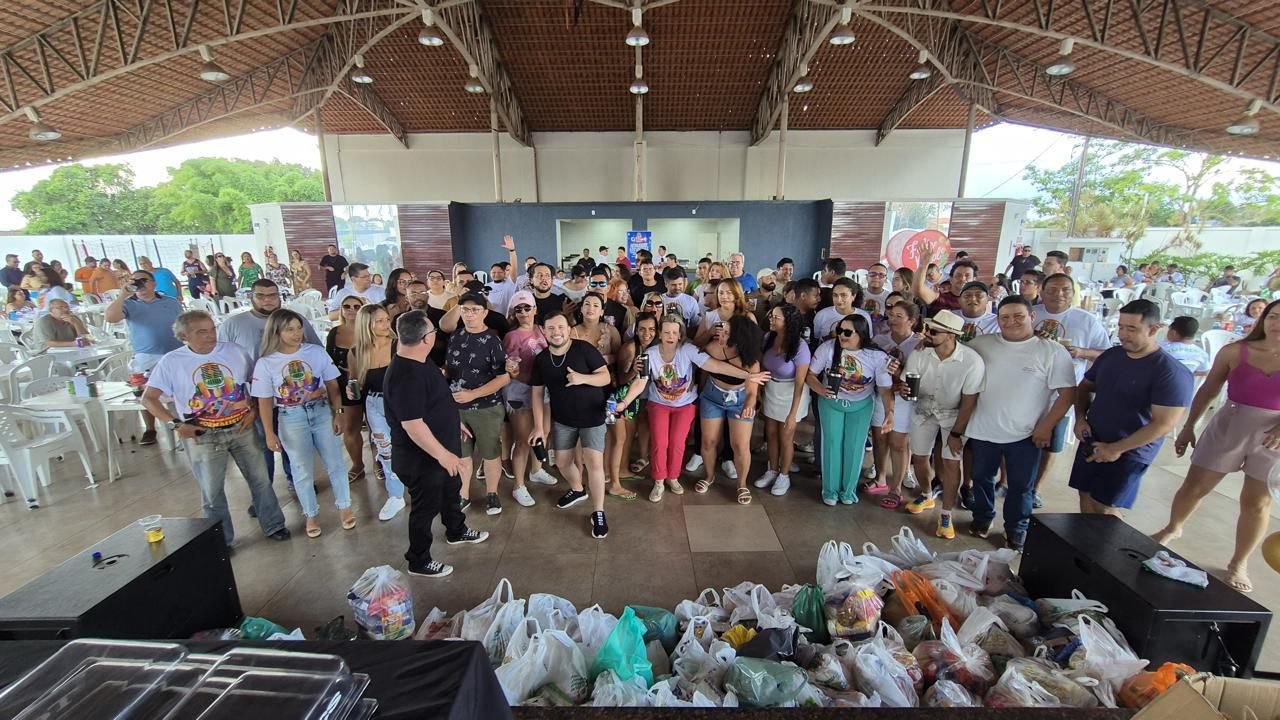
[{"x": 473, "y": 38}]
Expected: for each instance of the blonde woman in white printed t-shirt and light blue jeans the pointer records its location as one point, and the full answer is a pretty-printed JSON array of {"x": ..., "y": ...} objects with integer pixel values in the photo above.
[{"x": 301, "y": 381}]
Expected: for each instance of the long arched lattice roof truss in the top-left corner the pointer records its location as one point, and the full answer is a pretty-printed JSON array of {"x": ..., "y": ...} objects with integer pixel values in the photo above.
[{"x": 115, "y": 38}]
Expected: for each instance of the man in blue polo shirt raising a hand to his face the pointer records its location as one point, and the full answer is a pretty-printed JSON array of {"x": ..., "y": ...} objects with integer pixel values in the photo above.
[{"x": 150, "y": 317}]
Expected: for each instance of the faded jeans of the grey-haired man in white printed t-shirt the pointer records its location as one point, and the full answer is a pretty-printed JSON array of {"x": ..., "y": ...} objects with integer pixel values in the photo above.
[{"x": 208, "y": 455}]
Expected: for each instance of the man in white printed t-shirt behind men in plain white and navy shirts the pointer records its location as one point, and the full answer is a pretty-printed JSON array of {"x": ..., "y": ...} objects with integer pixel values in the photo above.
[{"x": 1084, "y": 336}]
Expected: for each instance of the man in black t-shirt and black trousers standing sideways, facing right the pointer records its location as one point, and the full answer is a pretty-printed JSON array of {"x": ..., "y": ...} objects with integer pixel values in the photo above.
[{"x": 427, "y": 440}]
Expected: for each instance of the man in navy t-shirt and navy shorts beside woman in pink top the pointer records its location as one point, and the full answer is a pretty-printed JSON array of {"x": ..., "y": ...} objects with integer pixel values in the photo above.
[{"x": 1141, "y": 395}]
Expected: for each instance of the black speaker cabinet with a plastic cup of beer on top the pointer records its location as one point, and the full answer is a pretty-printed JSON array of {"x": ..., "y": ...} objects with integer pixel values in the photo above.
[{"x": 136, "y": 591}]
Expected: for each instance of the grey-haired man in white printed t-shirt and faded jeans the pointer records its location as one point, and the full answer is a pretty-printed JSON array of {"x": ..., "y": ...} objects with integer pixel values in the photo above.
[{"x": 213, "y": 414}]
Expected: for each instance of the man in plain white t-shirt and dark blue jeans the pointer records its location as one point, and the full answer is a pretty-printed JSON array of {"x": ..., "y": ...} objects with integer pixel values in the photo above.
[{"x": 1016, "y": 416}]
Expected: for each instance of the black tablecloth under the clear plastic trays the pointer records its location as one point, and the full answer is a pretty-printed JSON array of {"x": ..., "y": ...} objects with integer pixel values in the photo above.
[{"x": 410, "y": 680}]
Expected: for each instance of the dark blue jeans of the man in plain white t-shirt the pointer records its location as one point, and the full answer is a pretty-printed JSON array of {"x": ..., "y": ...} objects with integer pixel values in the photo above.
[{"x": 1022, "y": 462}]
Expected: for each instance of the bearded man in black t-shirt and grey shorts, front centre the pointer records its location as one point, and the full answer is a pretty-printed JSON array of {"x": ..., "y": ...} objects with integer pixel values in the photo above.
[{"x": 575, "y": 375}]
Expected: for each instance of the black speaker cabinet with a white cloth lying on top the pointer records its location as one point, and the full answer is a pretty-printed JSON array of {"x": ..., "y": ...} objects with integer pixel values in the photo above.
[{"x": 1213, "y": 630}]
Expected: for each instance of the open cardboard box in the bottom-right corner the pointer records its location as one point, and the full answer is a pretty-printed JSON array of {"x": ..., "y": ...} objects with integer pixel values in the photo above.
[{"x": 1209, "y": 698}]
